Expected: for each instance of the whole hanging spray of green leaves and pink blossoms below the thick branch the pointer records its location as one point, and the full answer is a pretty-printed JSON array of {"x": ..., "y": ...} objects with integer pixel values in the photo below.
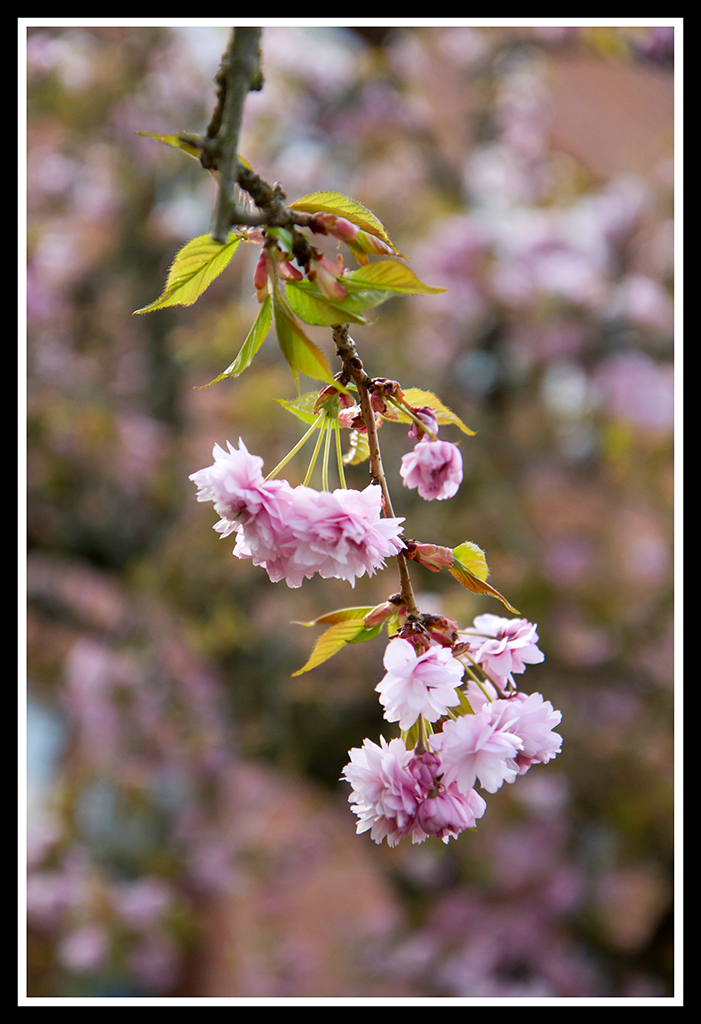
[{"x": 452, "y": 694}]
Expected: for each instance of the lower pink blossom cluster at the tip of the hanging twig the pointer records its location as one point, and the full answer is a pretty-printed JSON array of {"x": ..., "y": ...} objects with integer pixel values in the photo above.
[{"x": 398, "y": 793}]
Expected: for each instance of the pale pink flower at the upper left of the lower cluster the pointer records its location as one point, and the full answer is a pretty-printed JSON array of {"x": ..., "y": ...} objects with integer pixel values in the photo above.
[{"x": 418, "y": 685}]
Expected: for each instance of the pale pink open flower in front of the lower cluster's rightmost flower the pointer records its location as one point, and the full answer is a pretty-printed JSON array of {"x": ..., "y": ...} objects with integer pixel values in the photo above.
[{"x": 473, "y": 747}]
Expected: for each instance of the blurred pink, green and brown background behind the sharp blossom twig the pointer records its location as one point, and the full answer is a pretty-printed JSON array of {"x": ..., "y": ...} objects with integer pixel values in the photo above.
[{"x": 188, "y": 831}]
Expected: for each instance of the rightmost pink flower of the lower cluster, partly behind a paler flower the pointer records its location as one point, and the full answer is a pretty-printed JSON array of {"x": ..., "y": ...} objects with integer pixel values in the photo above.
[{"x": 533, "y": 720}]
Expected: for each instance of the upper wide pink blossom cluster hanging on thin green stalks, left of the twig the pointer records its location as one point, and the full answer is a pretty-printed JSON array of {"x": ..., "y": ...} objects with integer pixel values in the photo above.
[{"x": 295, "y": 533}]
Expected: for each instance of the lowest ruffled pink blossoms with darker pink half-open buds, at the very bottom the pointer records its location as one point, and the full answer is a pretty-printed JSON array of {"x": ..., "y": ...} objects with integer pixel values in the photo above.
[{"x": 398, "y": 794}]
